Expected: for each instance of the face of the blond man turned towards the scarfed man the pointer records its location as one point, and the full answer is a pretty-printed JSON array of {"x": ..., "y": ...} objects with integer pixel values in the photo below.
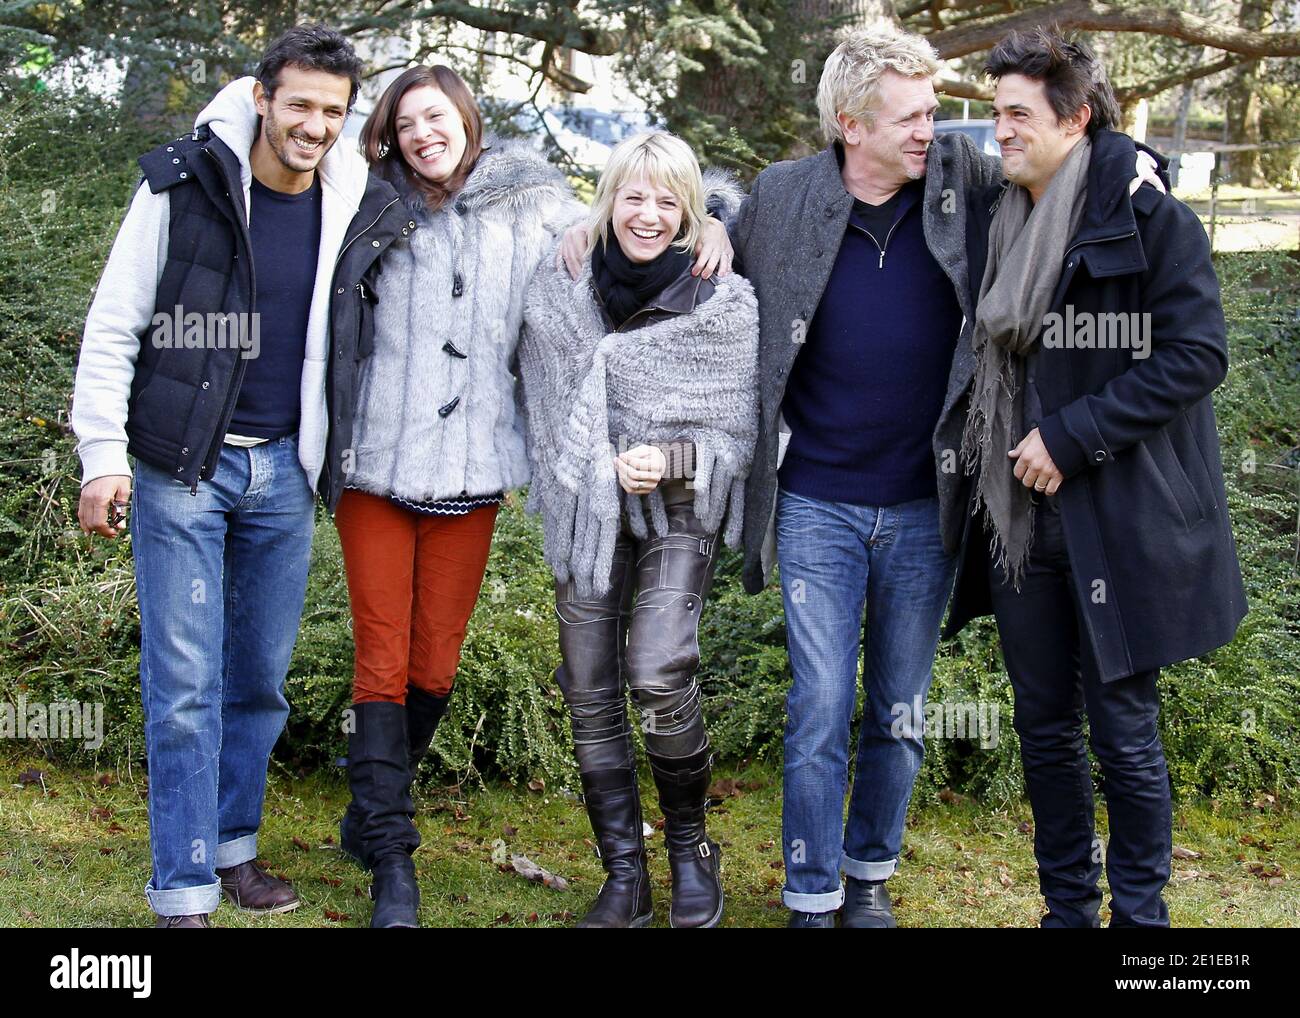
[{"x": 894, "y": 149}]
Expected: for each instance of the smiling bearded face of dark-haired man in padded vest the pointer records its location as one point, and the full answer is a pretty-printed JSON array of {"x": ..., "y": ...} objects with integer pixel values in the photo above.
[{"x": 305, "y": 116}]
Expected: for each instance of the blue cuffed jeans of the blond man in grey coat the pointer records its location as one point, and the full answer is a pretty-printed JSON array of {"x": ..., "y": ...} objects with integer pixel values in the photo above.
[{"x": 837, "y": 558}]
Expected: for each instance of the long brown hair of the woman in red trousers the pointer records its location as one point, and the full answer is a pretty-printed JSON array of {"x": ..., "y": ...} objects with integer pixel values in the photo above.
[{"x": 380, "y": 135}]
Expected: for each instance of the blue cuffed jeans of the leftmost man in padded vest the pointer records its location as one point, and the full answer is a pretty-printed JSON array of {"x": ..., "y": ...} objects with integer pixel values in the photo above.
[{"x": 220, "y": 578}]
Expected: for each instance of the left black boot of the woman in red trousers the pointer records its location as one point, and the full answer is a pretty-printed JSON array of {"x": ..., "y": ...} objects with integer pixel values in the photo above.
[{"x": 379, "y": 770}]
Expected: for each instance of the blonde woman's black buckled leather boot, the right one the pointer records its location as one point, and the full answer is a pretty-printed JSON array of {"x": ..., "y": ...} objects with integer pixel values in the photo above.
[{"x": 694, "y": 857}]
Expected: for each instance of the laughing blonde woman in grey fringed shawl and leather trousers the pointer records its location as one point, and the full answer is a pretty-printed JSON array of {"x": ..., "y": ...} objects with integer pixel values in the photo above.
[{"x": 640, "y": 383}]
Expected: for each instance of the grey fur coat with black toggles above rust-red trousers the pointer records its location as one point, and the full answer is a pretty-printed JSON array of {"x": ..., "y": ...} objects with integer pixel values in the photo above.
[{"x": 439, "y": 406}]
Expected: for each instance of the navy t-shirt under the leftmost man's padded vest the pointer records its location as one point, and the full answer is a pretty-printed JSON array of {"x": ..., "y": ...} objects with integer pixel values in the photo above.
[{"x": 287, "y": 237}]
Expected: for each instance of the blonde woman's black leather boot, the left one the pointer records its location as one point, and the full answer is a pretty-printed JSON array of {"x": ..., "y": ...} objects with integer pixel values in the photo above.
[{"x": 614, "y": 808}]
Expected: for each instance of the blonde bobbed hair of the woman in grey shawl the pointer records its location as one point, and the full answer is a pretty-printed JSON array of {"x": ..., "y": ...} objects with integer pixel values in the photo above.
[{"x": 666, "y": 162}]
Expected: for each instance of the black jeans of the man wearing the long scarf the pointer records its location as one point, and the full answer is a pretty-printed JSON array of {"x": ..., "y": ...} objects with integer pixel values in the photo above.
[{"x": 1055, "y": 678}]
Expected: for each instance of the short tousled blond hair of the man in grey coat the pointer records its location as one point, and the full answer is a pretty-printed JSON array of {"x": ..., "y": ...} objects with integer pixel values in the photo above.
[{"x": 852, "y": 75}]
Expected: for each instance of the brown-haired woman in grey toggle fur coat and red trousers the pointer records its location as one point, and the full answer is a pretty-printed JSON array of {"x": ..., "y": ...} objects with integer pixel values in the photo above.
[{"x": 437, "y": 439}]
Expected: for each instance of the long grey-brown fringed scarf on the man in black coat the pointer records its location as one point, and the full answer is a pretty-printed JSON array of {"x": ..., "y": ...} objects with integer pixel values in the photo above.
[{"x": 1026, "y": 248}]
